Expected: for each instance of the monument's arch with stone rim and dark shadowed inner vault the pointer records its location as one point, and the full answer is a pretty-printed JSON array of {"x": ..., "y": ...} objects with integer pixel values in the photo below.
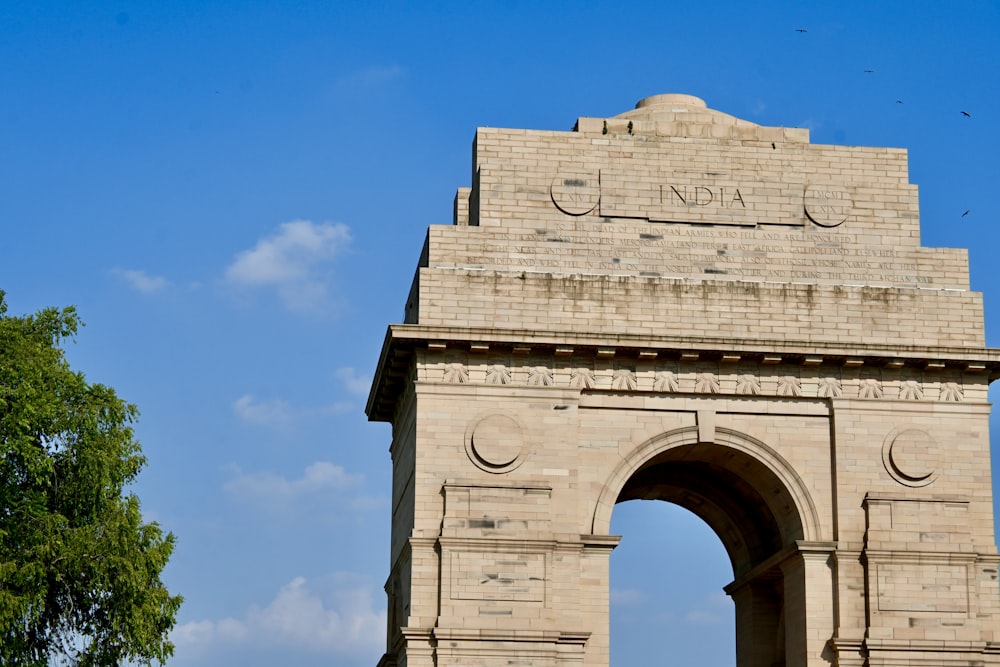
[{"x": 755, "y": 505}]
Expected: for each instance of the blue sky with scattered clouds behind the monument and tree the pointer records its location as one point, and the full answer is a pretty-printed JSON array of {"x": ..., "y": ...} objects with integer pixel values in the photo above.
[{"x": 234, "y": 196}]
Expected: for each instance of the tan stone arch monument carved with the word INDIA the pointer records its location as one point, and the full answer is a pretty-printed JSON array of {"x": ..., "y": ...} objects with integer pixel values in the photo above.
[{"x": 676, "y": 304}]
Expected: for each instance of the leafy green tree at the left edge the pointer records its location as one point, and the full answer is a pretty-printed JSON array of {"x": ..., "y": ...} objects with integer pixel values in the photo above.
[{"x": 79, "y": 570}]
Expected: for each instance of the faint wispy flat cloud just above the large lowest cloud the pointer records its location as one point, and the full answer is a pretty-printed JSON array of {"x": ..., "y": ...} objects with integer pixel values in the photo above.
[{"x": 270, "y": 488}]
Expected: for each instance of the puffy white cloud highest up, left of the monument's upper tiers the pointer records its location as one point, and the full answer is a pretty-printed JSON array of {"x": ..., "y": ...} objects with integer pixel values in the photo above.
[{"x": 292, "y": 262}]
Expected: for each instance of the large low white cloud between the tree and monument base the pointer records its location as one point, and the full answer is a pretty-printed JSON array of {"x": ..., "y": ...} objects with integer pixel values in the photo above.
[{"x": 335, "y": 617}]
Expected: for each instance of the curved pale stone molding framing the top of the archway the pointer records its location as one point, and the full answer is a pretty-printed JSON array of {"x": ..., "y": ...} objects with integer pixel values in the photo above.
[{"x": 742, "y": 443}]
